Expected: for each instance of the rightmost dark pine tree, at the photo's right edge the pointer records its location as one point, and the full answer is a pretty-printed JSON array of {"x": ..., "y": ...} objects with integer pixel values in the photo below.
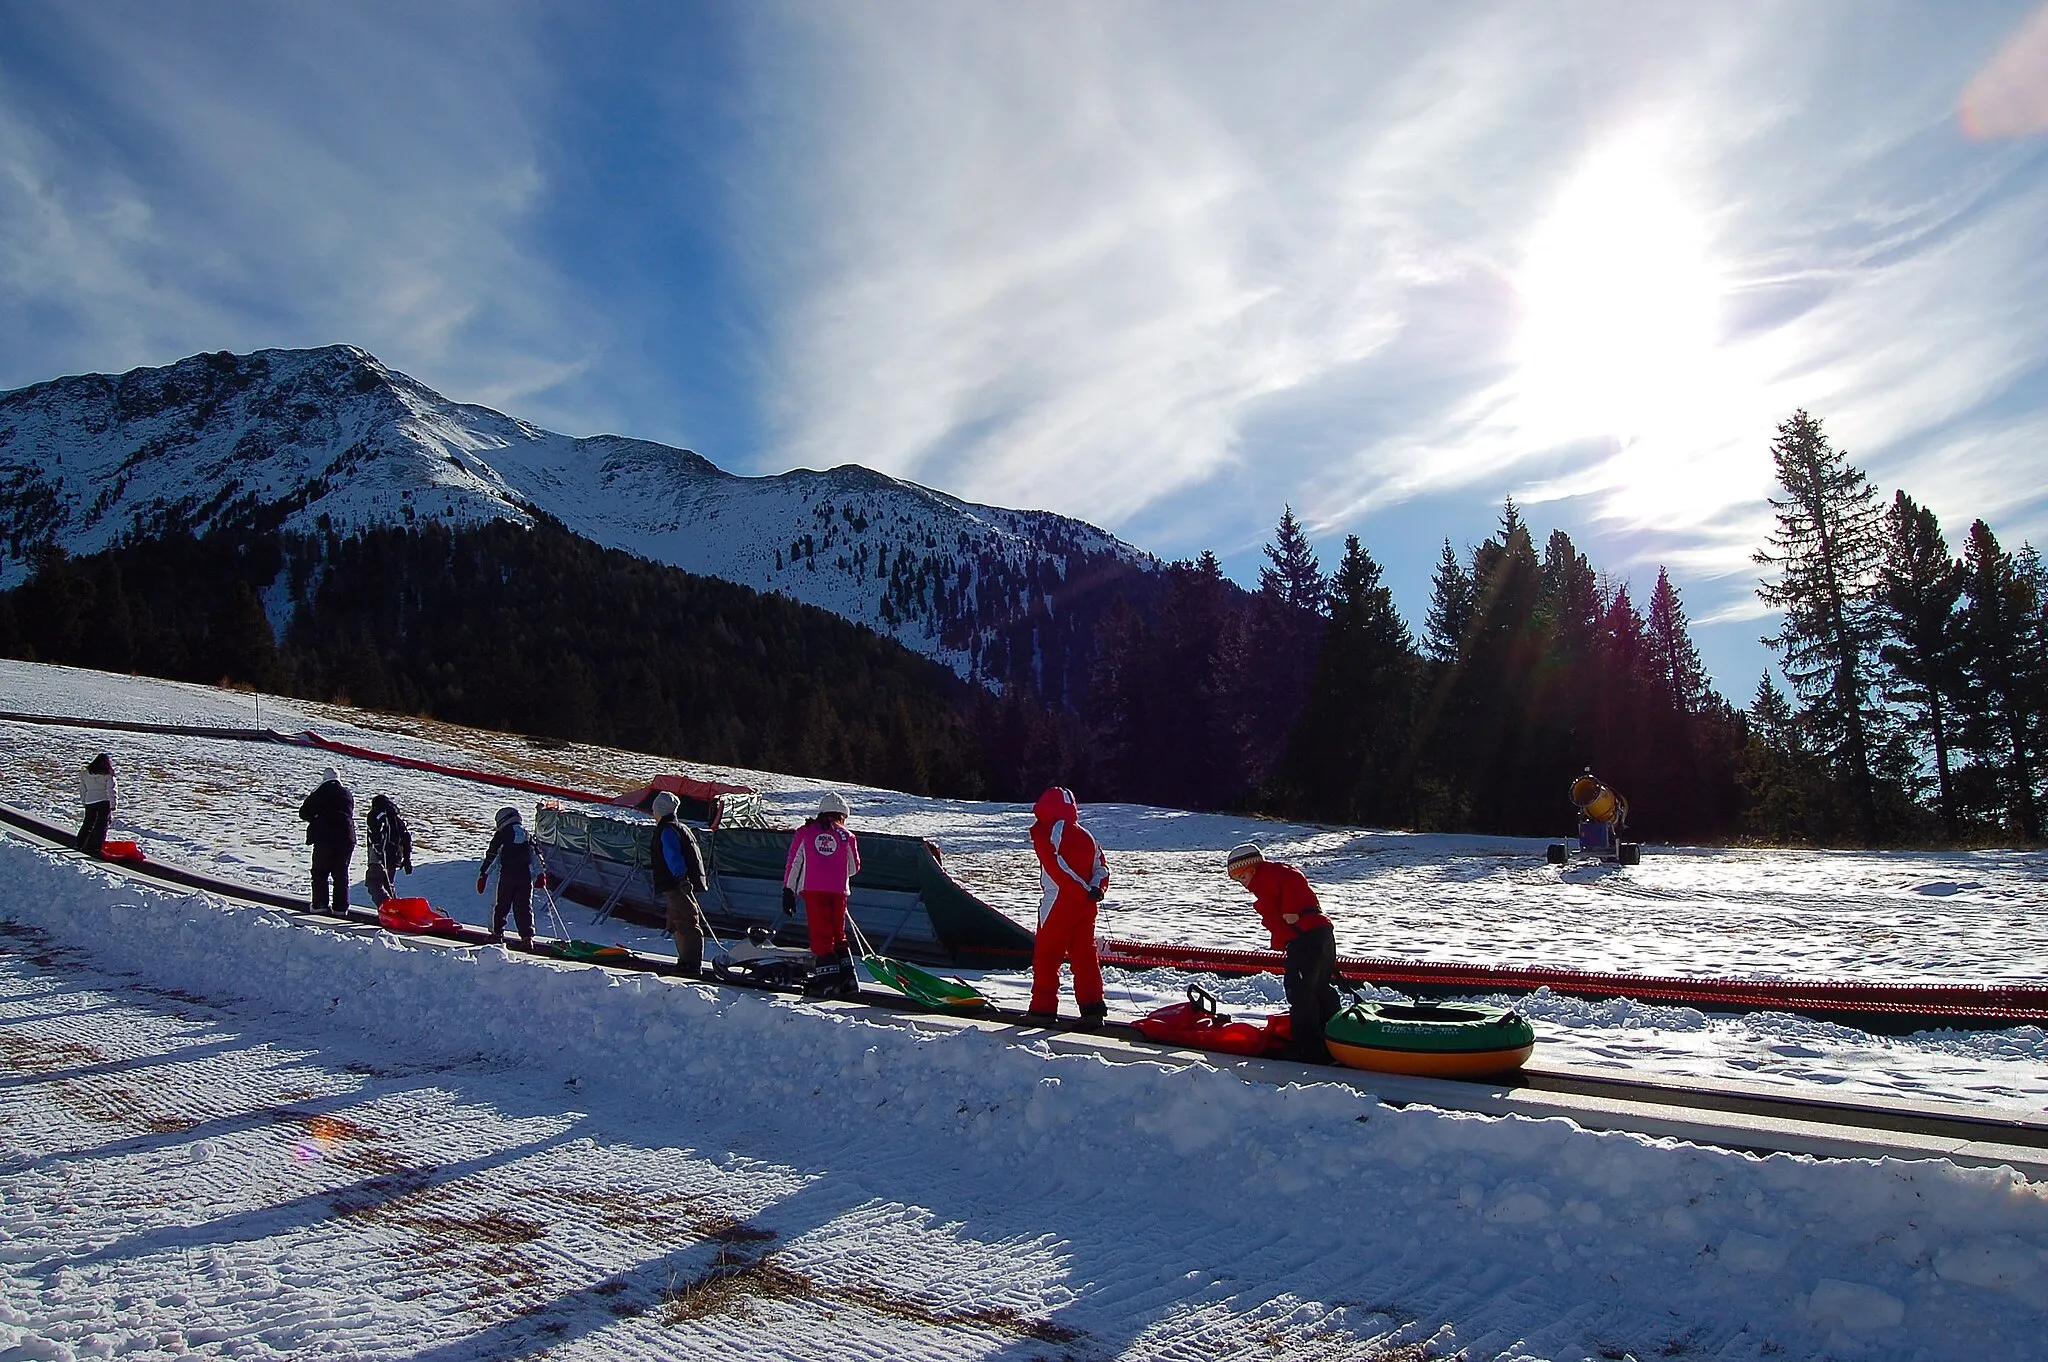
[{"x": 2006, "y": 671}]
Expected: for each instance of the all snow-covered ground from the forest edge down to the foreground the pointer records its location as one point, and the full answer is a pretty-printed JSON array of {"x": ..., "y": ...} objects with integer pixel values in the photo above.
[{"x": 234, "y": 1134}]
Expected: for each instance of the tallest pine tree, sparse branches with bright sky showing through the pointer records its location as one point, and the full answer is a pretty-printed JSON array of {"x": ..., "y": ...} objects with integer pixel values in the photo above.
[{"x": 1826, "y": 550}]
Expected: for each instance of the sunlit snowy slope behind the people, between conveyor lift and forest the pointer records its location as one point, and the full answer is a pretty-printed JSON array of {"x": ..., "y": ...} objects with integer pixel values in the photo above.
[{"x": 1973, "y": 917}]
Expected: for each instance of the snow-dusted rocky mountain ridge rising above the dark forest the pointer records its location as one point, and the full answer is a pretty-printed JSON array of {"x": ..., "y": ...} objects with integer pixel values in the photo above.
[{"x": 333, "y": 439}]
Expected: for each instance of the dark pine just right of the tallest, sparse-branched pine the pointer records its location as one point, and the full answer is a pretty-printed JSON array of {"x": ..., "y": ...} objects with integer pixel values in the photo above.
[{"x": 1918, "y": 591}]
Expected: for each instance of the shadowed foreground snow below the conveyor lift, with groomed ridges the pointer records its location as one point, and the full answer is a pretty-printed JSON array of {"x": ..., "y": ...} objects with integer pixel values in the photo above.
[{"x": 1152, "y": 1211}]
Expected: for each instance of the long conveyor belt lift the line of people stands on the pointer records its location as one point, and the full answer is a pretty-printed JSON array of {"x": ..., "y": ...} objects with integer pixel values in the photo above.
[{"x": 1740, "y": 1117}]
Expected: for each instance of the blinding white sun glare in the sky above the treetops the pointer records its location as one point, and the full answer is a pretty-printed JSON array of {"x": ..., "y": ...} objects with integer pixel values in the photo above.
[{"x": 1619, "y": 304}]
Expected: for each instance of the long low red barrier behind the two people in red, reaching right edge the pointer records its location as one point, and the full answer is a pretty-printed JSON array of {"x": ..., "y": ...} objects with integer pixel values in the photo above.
[{"x": 2008, "y": 1003}]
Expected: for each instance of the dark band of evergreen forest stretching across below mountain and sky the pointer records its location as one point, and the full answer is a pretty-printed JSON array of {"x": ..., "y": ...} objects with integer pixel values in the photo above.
[{"x": 1914, "y": 712}]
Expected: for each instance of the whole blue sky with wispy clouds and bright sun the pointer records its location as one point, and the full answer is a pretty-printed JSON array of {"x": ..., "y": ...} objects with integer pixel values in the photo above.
[{"x": 1164, "y": 267}]
